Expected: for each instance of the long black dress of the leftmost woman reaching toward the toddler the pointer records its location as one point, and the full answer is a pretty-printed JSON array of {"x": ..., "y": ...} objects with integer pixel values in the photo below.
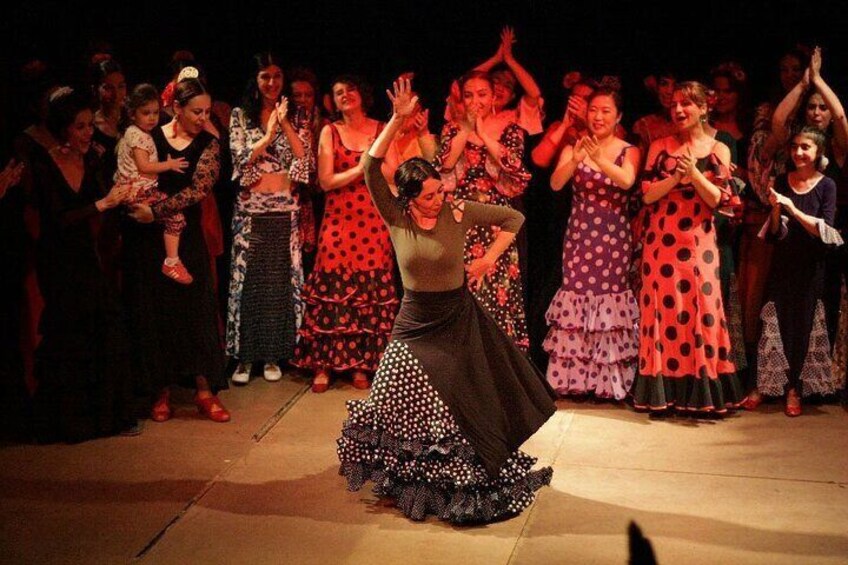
[{"x": 82, "y": 363}]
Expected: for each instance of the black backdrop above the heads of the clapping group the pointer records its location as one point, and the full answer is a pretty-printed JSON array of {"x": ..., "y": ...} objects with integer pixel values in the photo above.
[{"x": 439, "y": 40}]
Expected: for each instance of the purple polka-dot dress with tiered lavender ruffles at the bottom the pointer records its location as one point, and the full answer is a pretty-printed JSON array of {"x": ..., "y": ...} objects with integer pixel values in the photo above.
[{"x": 593, "y": 318}]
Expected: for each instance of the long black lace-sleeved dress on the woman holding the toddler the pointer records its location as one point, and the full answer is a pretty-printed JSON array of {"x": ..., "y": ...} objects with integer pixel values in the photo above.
[{"x": 174, "y": 327}]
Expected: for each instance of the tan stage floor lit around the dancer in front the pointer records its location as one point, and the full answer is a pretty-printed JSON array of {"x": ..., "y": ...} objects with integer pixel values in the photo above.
[{"x": 754, "y": 488}]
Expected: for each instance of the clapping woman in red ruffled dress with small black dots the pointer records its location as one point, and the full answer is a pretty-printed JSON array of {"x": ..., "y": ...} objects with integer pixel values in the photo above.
[{"x": 350, "y": 300}]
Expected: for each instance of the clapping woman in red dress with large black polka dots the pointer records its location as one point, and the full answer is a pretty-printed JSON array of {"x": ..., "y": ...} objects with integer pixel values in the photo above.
[{"x": 685, "y": 357}]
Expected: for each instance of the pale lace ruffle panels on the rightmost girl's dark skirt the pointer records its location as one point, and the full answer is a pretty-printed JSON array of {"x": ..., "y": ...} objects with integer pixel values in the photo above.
[{"x": 773, "y": 367}]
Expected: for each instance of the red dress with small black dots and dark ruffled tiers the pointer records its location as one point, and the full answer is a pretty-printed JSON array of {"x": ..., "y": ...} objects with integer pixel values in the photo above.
[{"x": 350, "y": 295}]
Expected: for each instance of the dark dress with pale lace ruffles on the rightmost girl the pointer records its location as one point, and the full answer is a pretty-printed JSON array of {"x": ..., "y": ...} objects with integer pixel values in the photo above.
[{"x": 794, "y": 350}]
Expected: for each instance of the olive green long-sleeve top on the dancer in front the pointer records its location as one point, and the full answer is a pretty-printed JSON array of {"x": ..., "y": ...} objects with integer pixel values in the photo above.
[{"x": 432, "y": 260}]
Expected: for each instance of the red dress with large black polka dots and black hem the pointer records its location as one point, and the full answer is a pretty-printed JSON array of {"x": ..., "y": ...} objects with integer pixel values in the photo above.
[{"x": 685, "y": 357}]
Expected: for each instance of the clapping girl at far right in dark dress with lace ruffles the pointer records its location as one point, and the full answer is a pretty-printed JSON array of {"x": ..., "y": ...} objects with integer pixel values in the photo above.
[{"x": 794, "y": 349}]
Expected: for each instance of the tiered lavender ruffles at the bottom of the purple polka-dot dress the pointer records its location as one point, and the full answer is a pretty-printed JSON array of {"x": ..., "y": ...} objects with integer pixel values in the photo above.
[{"x": 593, "y": 343}]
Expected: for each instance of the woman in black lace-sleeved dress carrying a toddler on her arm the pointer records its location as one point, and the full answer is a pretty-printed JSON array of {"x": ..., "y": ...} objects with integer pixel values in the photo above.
[{"x": 175, "y": 327}]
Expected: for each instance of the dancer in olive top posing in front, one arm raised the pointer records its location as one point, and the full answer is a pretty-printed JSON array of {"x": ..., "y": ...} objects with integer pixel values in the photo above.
[{"x": 453, "y": 397}]
